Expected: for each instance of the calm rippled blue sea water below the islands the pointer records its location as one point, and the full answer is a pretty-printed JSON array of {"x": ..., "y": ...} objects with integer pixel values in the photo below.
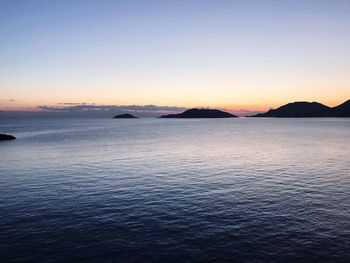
[{"x": 162, "y": 190}]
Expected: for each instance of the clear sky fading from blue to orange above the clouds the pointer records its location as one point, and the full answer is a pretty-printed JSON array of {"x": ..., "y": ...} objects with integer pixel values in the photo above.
[{"x": 229, "y": 54}]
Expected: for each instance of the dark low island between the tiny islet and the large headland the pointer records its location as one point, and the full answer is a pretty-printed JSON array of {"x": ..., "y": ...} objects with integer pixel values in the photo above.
[{"x": 201, "y": 113}]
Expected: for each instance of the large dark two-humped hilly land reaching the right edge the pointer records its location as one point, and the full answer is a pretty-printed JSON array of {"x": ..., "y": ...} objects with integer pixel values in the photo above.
[{"x": 307, "y": 110}]
